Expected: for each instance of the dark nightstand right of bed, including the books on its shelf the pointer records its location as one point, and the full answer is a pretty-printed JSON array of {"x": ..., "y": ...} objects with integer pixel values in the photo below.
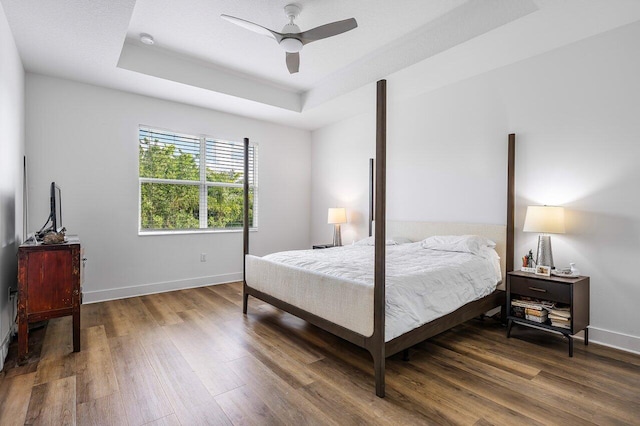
[{"x": 564, "y": 300}]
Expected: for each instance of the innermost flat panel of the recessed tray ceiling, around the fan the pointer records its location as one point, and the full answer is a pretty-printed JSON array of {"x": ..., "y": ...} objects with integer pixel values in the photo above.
[{"x": 194, "y": 28}]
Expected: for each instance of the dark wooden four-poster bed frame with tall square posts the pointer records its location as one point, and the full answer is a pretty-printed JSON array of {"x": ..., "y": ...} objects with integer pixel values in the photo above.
[{"x": 375, "y": 343}]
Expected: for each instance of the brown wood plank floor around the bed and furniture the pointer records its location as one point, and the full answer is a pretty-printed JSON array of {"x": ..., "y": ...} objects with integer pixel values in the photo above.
[{"x": 191, "y": 357}]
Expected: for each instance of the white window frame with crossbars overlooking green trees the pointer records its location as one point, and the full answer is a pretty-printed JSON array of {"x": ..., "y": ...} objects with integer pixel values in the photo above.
[{"x": 203, "y": 185}]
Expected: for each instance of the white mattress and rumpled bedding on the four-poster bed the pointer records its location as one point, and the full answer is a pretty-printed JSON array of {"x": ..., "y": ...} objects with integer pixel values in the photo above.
[{"x": 337, "y": 283}]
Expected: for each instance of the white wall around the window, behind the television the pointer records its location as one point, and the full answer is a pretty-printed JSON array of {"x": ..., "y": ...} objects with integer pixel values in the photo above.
[{"x": 85, "y": 138}]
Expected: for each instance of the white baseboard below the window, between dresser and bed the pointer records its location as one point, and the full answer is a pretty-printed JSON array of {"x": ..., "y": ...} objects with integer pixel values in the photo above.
[{"x": 161, "y": 287}]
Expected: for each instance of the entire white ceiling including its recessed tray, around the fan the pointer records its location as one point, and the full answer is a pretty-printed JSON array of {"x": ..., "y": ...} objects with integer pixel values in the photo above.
[{"x": 203, "y": 60}]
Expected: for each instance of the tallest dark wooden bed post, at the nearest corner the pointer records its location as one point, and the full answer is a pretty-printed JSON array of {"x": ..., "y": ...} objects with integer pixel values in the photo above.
[{"x": 378, "y": 349}]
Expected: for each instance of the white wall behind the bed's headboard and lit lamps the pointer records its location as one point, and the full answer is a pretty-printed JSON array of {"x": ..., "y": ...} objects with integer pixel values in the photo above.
[{"x": 575, "y": 112}]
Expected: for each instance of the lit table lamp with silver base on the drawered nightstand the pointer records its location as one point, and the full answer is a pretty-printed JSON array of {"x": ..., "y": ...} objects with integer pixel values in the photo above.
[{"x": 545, "y": 220}]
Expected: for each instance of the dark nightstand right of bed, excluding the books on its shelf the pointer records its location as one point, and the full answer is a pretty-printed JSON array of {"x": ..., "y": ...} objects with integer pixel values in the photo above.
[{"x": 573, "y": 293}]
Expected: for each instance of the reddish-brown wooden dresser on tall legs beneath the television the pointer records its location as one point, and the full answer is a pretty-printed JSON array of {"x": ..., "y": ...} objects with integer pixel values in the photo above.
[{"x": 49, "y": 286}]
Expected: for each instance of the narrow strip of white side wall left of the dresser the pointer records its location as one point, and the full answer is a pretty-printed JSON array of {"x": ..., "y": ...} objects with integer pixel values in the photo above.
[{"x": 11, "y": 160}]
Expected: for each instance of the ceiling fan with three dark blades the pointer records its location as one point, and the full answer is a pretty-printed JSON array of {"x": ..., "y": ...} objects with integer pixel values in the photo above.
[{"x": 291, "y": 39}]
